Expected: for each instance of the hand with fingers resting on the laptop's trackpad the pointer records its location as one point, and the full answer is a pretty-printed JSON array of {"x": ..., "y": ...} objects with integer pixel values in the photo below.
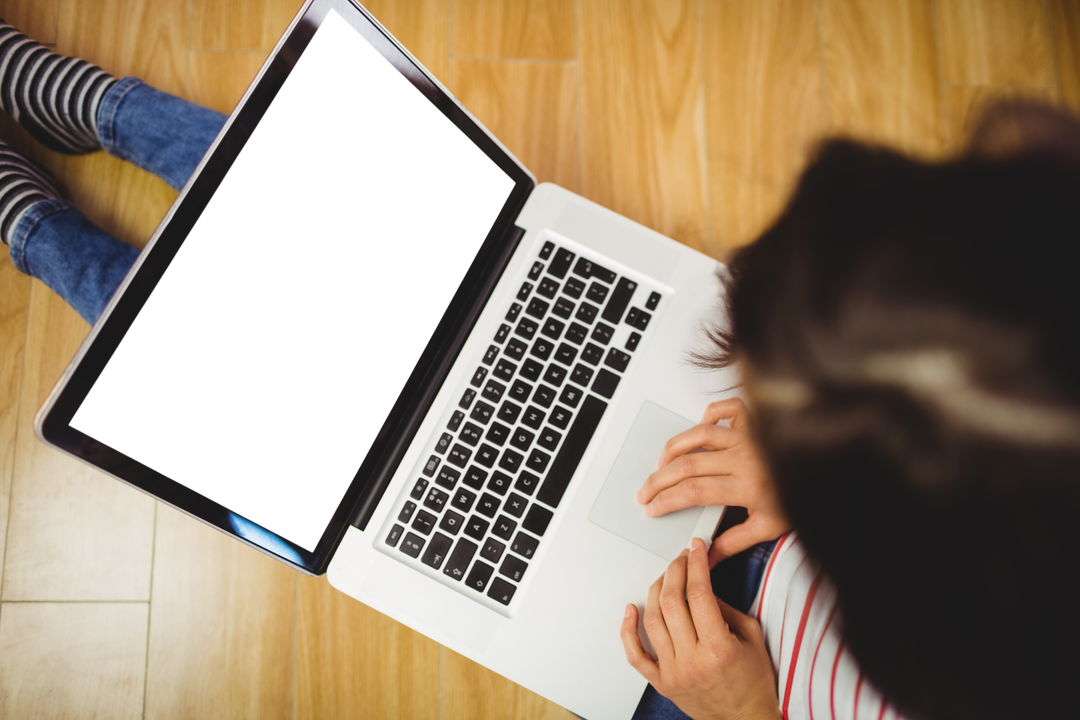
[{"x": 733, "y": 473}]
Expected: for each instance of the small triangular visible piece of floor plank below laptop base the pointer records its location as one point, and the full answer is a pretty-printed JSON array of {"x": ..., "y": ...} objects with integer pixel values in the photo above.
[{"x": 471, "y": 691}]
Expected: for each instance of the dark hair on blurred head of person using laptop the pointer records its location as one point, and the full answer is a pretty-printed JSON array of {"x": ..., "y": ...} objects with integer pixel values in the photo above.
[{"x": 912, "y": 338}]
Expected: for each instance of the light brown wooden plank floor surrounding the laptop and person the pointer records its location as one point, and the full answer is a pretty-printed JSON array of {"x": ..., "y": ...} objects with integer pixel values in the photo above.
[{"x": 693, "y": 117}]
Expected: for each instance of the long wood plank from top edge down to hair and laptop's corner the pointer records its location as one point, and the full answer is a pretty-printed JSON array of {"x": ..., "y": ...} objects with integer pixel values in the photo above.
[{"x": 765, "y": 111}]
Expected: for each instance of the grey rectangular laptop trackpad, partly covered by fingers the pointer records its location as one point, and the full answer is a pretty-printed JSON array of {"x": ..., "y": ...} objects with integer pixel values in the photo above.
[{"x": 616, "y": 509}]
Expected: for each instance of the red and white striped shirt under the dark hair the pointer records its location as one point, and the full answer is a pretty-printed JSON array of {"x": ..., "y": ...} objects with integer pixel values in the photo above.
[{"x": 817, "y": 677}]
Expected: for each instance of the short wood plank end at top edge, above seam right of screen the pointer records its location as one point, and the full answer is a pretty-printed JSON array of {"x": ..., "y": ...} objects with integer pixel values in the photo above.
[{"x": 542, "y": 30}]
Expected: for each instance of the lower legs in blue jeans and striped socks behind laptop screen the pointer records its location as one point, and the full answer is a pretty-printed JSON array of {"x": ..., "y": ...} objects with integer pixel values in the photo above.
[{"x": 74, "y": 107}]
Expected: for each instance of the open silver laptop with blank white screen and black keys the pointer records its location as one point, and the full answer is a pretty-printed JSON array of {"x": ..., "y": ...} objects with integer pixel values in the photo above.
[{"x": 367, "y": 343}]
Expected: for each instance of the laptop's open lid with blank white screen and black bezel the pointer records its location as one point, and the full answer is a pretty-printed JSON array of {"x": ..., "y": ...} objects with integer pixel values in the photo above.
[{"x": 269, "y": 358}]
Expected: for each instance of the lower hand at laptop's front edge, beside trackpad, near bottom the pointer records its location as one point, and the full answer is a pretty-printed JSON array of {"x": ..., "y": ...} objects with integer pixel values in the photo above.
[{"x": 711, "y": 659}]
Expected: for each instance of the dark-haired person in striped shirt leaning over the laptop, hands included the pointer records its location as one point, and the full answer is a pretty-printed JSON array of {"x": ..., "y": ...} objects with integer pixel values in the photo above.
[{"x": 907, "y": 336}]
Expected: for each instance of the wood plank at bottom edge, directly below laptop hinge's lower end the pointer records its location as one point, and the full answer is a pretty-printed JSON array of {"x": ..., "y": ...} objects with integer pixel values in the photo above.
[{"x": 355, "y": 662}]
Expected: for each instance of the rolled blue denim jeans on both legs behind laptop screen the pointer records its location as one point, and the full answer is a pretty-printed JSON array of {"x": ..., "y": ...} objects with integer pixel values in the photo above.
[{"x": 56, "y": 243}]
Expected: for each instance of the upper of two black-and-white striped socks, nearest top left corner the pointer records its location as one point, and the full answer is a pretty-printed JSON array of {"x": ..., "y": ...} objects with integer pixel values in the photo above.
[{"x": 55, "y": 98}]
